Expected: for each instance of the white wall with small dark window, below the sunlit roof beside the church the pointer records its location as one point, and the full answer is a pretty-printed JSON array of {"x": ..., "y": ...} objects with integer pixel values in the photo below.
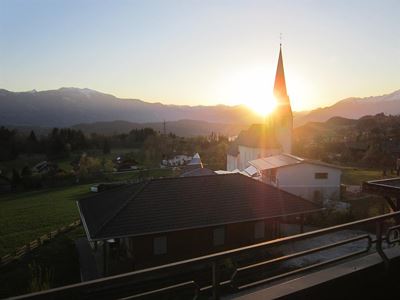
[{"x": 300, "y": 180}]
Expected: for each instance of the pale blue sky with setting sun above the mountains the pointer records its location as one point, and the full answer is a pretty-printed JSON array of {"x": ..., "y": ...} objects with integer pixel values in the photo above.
[{"x": 203, "y": 52}]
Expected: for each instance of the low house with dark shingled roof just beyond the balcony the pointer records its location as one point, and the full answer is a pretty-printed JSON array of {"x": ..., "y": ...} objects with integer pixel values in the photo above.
[{"x": 170, "y": 219}]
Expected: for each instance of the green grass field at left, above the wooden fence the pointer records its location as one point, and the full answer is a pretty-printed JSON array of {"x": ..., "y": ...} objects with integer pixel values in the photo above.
[{"x": 28, "y": 215}]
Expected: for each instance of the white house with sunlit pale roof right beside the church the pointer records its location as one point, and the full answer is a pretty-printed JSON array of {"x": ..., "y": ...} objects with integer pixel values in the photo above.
[{"x": 309, "y": 179}]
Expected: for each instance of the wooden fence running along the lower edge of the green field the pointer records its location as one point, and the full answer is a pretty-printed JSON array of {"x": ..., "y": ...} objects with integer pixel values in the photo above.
[{"x": 21, "y": 251}]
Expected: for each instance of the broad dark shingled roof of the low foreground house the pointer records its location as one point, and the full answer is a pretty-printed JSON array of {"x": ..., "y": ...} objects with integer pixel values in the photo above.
[{"x": 171, "y": 204}]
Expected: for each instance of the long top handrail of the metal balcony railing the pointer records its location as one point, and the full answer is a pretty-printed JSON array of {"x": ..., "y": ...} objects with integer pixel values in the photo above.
[{"x": 219, "y": 255}]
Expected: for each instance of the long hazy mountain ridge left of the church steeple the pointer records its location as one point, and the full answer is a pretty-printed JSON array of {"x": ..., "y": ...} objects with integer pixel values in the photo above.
[{"x": 70, "y": 106}]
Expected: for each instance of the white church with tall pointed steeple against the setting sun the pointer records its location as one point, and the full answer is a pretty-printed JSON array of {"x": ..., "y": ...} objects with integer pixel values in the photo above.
[{"x": 272, "y": 137}]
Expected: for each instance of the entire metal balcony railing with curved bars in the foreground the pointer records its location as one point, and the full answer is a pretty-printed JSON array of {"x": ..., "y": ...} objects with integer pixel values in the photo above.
[{"x": 209, "y": 275}]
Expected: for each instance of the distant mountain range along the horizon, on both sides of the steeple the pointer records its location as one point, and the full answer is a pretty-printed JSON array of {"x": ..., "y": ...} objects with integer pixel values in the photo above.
[{"x": 93, "y": 111}]
